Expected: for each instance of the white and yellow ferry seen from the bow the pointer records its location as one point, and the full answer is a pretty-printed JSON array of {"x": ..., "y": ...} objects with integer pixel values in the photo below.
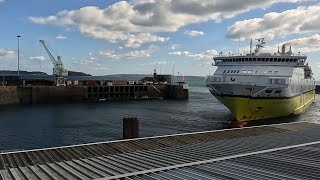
[{"x": 262, "y": 85}]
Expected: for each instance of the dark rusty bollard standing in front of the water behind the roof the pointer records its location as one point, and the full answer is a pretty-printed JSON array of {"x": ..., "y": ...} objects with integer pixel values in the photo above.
[{"x": 130, "y": 128}]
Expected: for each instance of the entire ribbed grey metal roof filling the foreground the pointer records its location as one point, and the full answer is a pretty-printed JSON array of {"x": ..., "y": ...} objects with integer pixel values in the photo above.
[{"x": 249, "y": 153}]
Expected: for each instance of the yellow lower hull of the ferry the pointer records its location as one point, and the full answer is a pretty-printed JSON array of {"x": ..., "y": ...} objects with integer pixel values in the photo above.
[{"x": 246, "y": 109}]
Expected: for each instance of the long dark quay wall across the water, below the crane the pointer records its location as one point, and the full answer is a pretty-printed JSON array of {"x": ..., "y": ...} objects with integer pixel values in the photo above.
[{"x": 59, "y": 94}]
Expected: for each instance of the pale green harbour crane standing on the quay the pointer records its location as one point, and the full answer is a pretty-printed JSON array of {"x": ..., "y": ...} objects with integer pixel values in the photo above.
[{"x": 58, "y": 69}]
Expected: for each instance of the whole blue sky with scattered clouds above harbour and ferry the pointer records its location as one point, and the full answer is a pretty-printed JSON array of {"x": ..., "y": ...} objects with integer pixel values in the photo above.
[{"x": 180, "y": 37}]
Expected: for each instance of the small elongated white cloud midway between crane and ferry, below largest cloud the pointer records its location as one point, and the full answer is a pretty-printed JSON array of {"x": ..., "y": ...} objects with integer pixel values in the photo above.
[{"x": 130, "y": 55}]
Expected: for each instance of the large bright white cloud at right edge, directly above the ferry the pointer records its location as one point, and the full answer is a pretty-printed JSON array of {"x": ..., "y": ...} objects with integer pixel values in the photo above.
[{"x": 295, "y": 21}]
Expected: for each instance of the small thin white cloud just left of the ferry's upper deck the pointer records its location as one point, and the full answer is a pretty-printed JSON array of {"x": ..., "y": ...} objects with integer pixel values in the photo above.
[{"x": 207, "y": 55}]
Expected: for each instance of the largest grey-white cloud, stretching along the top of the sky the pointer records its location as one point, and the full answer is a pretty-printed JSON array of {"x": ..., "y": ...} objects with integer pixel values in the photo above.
[{"x": 137, "y": 22}]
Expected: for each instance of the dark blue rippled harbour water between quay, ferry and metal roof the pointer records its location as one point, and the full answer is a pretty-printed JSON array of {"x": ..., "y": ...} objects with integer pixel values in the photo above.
[{"x": 40, "y": 126}]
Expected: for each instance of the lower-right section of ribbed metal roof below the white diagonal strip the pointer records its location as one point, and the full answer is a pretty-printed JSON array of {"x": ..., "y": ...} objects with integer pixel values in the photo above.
[{"x": 293, "y": 162}]
